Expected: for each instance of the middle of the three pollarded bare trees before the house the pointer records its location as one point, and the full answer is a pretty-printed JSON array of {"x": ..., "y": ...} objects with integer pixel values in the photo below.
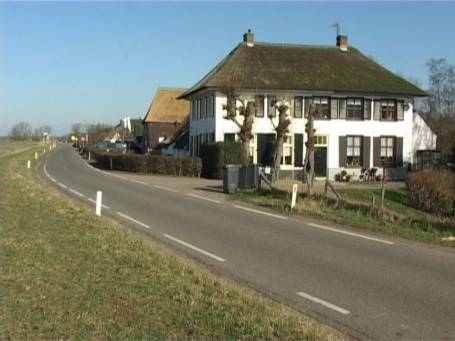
[{"x": 281, "y": 129}]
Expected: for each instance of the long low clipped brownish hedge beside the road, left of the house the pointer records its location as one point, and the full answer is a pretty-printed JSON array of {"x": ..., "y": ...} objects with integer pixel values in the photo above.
[{"x": 155, "y": 164}]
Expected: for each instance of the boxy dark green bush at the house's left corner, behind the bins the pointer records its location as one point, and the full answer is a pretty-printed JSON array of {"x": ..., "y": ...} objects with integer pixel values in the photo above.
[{"x": 216, "y": 155}]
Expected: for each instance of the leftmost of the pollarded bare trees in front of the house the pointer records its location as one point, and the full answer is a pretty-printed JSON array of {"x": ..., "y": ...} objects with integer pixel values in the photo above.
[{"x": 246, "y": 110}]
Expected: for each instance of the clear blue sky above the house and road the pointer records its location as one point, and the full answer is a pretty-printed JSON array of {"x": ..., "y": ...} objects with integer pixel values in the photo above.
[{"x": 62, "y": 63}]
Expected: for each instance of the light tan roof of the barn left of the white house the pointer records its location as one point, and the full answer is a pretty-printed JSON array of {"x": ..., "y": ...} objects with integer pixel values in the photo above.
[{"x": 166, "y": 107}]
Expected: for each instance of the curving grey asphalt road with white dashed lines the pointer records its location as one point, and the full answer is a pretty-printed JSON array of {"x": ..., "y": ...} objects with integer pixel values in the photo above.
[{"x": 370, "y": 286}]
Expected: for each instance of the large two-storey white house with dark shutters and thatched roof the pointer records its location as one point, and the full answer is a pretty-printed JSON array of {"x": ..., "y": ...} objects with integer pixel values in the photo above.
[{"x": 364, "y": 113}]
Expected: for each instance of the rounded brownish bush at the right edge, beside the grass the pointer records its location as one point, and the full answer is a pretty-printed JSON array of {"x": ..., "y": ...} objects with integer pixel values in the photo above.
[{"x": 432, "y": 191}]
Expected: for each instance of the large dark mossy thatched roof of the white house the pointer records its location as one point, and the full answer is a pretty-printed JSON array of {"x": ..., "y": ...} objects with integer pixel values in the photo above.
[{"x": 267, "y": 66}]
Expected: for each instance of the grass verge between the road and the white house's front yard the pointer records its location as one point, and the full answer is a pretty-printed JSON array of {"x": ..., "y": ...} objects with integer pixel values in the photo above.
[{"x": 401, "y": 220}]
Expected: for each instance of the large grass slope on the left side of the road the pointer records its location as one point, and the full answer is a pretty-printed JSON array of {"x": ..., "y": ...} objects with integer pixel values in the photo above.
[{"x": 66, "y": 274}]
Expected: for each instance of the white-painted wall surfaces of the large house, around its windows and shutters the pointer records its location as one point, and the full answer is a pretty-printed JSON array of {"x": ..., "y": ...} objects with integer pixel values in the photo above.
[{"x": 414, "y": 131}]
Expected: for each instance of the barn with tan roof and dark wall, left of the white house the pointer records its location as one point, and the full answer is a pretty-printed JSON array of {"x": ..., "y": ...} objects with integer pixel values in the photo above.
[{"x": 164, "y": 116}]
